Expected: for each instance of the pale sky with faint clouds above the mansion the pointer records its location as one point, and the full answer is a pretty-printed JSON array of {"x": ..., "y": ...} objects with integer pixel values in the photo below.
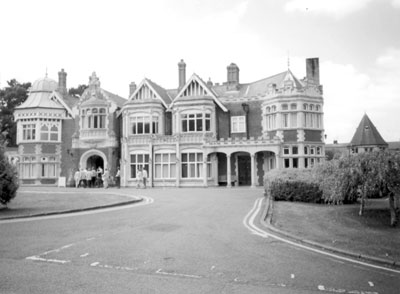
[{"x": 357, "y": 43}]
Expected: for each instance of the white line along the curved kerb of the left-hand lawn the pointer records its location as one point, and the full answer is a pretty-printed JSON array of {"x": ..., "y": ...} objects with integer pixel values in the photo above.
[{"x": 146, "y": 201}]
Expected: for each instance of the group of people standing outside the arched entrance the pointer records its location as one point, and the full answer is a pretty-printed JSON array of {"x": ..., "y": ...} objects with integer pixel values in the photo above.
[{"x": 92, "y": 178}]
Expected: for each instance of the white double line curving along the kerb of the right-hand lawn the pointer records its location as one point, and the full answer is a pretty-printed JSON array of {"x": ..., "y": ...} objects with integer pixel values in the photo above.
[{"x": 248, "y": 222}]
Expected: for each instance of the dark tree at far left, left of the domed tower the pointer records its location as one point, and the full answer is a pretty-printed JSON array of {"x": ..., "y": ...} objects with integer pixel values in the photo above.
[{"x": 10, "y": 97}]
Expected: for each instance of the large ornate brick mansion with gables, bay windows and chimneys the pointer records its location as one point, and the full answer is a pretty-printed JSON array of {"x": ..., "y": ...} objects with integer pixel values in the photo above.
[{"x": 198, "y": 134}]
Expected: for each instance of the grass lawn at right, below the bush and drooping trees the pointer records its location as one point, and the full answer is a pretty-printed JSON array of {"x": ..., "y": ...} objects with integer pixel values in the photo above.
[{"x": 340, "y": 226}]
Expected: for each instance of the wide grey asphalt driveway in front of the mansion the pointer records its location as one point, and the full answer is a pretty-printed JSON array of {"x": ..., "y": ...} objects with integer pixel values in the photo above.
[{"x": 176, "y": 241}]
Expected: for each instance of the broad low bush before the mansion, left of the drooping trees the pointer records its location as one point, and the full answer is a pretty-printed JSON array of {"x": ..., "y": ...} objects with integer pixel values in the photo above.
[{"x": 293, "y": 185}]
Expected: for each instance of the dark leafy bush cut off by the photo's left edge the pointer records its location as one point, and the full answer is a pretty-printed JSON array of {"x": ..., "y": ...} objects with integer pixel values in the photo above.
[{"x": 8, "y": 179}]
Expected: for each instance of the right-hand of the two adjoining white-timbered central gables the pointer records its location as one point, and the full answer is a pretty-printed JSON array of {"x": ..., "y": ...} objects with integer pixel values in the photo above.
[{"x": 195, "y": 86}]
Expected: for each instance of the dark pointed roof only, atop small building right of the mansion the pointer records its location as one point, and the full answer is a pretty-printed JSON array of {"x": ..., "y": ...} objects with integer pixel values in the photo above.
[{"x": 367, "y": 134}]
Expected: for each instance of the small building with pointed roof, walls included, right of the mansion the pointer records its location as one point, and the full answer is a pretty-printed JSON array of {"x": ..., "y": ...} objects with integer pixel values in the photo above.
[{"x": 366, "y": 138}]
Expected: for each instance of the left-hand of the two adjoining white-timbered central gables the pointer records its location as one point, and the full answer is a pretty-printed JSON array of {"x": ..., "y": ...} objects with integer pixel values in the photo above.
[{"x": 155, "y": 92}]
